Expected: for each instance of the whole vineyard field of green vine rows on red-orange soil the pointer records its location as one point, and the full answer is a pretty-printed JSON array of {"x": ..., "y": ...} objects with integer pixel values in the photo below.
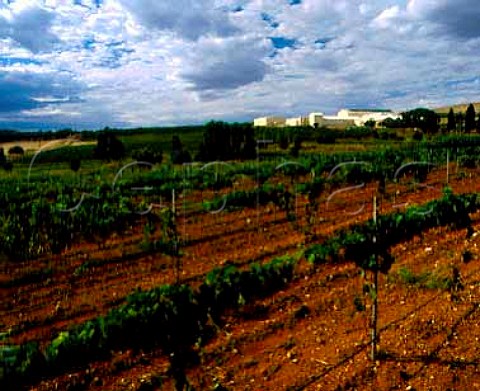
[{"x": 244, "y": 275}]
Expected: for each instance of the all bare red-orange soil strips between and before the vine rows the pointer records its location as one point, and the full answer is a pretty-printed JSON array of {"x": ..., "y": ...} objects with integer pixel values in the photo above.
[{"x": 283, "y": 346}]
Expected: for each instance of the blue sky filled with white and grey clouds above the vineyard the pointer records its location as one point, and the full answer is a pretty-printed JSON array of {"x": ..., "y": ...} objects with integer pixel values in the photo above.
[{"x": 87, "y": 64}]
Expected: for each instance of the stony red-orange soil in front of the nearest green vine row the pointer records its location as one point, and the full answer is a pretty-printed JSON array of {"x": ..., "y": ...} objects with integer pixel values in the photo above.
[{"x": 310, "y": 336}]
